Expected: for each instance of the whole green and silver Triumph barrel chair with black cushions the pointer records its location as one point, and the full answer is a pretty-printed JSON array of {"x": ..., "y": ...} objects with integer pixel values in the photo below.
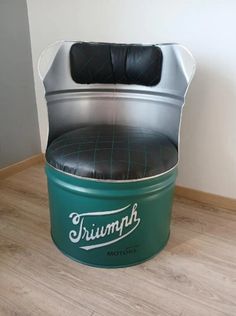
[{"x": 114, "y": 115}]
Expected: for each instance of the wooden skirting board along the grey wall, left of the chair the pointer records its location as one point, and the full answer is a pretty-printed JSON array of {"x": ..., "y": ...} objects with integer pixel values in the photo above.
[{"x": 21, "y": 165}]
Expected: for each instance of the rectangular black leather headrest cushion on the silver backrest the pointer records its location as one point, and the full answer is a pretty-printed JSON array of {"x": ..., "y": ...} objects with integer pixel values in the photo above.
[{"x": 115, "y": 63}]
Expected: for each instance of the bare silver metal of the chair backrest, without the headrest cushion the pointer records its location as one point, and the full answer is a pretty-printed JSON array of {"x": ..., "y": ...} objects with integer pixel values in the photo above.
[{"x": 71, "y": 105}]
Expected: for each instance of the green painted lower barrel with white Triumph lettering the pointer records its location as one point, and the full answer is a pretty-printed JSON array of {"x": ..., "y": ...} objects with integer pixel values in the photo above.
[{"x": 110, "y": 224}]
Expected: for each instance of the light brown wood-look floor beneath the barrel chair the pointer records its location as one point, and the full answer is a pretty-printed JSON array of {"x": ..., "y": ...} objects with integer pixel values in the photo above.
[{"x": 194, "y": 275}]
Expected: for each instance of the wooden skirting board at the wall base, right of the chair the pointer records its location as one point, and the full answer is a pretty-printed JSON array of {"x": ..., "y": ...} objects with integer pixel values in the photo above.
[{"x": 204, "y": 197}]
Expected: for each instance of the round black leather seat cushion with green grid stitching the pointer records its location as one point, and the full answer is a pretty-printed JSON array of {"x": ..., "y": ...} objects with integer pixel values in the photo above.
[{"x": 112, "y": 152}]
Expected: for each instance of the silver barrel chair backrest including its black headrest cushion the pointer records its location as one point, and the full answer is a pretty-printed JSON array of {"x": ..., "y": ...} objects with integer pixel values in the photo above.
[{"x": 101, "y": 83}]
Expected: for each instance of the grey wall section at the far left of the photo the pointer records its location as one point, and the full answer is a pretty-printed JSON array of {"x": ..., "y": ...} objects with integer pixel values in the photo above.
[{"x": 18, "y": 112}]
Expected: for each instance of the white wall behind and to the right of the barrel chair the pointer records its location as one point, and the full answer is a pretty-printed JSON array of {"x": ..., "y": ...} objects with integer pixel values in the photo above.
[{"x": 206, "y": 27}]
